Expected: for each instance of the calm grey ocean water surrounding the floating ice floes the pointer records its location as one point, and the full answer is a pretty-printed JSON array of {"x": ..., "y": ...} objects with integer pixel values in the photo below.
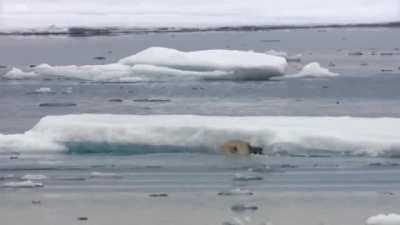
[{"x": 113, "y": 187}]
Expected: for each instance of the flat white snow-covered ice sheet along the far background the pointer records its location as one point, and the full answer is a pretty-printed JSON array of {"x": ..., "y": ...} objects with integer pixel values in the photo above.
[{"x": 80, "y": 17}]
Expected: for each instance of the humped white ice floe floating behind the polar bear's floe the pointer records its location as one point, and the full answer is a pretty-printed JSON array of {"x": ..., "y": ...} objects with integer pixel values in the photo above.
[{"x": 157, "y": 63}]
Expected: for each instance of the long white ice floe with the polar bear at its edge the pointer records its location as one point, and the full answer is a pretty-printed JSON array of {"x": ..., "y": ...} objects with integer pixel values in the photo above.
[{"x": 101, "y": 132}]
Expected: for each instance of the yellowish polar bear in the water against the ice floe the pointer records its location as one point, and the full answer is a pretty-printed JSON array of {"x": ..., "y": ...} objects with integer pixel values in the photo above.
[{"x": 239, "y": 147}]
